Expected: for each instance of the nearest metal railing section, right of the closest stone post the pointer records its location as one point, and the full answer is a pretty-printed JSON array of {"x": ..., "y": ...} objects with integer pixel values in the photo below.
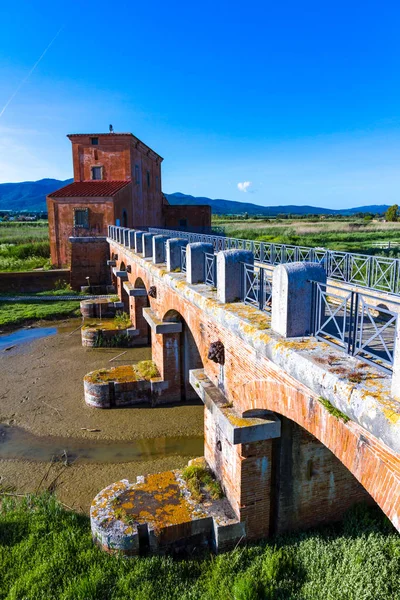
[{"x": 356, "y": 324}]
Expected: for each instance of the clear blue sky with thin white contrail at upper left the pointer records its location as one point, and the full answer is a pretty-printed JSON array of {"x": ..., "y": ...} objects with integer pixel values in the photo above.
[{"x": 264, "y": 102}]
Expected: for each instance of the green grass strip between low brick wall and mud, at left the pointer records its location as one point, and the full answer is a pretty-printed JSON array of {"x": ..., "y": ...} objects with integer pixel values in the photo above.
[{"x": 15, "y": 314}]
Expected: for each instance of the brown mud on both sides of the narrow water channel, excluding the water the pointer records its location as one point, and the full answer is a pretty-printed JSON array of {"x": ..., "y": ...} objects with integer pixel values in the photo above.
[{"x": 41, "y": 391}]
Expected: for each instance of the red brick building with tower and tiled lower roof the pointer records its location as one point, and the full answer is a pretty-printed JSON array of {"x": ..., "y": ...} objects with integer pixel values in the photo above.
[{"x": 117, "y": 181}]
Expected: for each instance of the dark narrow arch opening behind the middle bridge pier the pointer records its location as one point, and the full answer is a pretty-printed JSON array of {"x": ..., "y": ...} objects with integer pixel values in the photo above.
[{"x": 189, "y": 356}]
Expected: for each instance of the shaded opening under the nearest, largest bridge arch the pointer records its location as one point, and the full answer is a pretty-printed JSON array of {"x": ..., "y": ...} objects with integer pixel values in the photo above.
[{"x": 310, "y": 486}]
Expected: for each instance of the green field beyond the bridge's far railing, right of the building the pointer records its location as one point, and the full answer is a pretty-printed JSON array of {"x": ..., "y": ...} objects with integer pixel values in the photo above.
[{"x": 352, "y": 236}]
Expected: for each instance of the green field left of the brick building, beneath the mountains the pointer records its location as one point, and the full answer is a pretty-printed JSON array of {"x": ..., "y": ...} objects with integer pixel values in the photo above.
[{"x": 24, "y": 246}]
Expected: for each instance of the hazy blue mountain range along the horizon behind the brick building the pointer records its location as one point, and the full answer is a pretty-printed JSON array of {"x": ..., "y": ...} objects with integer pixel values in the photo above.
[{"x": 31, "y": 196}]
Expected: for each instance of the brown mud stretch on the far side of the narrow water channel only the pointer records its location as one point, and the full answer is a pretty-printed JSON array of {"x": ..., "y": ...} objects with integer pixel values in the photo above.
[{"x": 42, "y": 391}]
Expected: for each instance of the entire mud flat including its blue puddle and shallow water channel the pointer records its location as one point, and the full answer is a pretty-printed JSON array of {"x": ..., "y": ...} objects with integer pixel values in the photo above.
[{"x": 46, "y": 427}]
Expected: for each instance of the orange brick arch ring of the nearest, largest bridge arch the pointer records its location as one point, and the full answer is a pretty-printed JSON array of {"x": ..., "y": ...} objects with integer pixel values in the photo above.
[{"x": 370, "y": 461}]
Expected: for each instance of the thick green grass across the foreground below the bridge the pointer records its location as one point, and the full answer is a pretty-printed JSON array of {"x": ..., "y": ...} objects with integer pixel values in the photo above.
[{"x": 47, "y": 553}]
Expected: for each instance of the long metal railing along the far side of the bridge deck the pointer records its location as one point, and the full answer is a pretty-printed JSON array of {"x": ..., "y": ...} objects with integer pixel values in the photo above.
[{"x": 378, "y": 273}]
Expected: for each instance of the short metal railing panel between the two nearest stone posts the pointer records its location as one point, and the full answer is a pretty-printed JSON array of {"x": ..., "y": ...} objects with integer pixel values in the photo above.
[{"x": 257, "y": 286}]
